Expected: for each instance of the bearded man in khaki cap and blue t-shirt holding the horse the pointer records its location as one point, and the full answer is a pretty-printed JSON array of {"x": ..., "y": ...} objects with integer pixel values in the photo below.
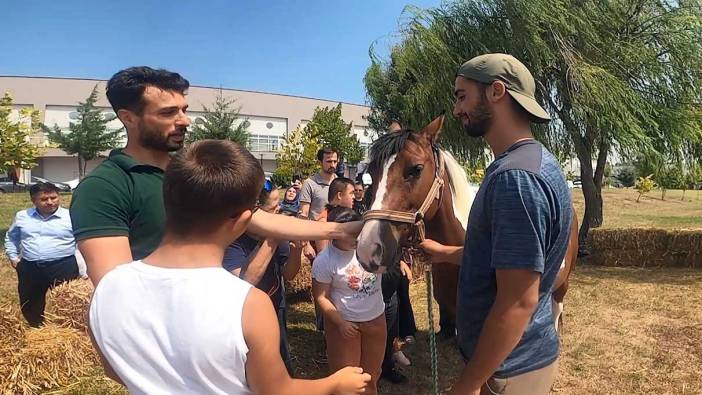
[{"x": 517, "y": 236}]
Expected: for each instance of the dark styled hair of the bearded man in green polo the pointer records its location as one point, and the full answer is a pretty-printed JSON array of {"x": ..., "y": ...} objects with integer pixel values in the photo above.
[{"x": 125, "y": 89}]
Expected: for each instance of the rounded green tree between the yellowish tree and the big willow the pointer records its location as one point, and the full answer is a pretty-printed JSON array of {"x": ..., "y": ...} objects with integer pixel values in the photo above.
[{"x": 329, "y": 128}]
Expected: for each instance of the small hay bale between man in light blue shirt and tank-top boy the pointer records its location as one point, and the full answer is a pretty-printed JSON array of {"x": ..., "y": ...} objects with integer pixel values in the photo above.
[{"x": 67, "y": 304}]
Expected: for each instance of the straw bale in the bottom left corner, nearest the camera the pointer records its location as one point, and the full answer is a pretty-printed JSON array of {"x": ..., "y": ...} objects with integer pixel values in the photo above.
[{"x": 41, "y": 358}]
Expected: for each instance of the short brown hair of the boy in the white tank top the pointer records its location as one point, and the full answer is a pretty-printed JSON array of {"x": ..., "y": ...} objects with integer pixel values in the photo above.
[{"x": 207, "y": 183}]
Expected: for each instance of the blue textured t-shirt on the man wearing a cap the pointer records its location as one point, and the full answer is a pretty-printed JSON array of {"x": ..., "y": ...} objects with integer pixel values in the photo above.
[{"x": 520, "y": 219}]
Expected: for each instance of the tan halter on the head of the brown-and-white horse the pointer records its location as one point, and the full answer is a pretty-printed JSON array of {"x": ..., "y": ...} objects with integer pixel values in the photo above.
[{"x": 416, "y": 218}]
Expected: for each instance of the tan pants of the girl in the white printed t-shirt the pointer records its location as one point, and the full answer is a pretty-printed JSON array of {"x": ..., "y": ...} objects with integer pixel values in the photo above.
[{"x": 365, "y": 350}]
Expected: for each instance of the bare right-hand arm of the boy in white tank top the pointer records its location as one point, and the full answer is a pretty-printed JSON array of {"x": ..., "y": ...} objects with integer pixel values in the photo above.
[{"x": 265, "y": 371}]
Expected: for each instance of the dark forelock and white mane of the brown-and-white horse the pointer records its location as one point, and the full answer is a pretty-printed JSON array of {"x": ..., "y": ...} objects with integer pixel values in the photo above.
[{"x": 462, "y": 191}]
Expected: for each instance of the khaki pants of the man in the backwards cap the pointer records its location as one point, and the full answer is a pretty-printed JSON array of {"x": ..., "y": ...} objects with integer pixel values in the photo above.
[{"x": 536, "y": 382}]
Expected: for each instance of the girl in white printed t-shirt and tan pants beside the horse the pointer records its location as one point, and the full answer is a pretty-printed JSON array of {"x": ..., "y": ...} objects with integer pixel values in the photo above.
[{"x": 352, "y": 303}]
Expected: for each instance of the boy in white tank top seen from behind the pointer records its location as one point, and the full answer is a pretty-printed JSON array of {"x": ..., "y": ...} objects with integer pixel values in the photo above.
[{"x": 176, "y": 322}]
